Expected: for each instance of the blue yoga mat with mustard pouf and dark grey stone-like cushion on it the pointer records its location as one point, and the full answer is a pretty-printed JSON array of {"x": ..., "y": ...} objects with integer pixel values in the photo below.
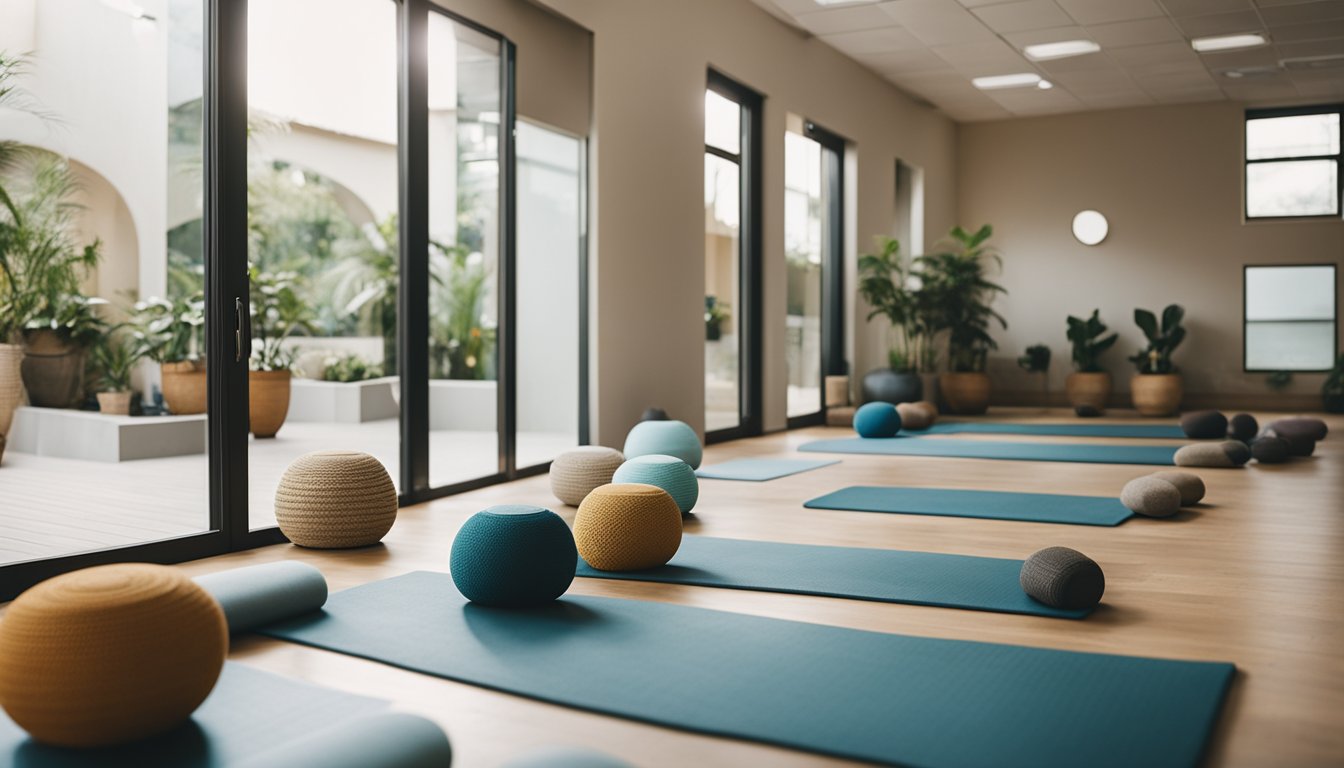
[{"x": 880, "y": 575}]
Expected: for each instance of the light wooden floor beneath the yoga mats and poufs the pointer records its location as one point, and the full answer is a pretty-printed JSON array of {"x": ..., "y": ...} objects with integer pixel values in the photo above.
[{"x": 1255, "y": 576}]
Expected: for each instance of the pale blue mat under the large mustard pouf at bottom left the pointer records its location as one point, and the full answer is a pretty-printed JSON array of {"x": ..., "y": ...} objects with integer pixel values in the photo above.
[{"x": 247, "y": 716}]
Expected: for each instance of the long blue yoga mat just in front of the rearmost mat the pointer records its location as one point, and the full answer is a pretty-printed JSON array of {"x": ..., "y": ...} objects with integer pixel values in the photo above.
[{"x": 994, "y": 450}]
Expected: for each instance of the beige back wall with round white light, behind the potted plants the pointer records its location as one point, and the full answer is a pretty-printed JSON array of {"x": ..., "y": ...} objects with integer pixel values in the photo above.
[{"x": 1170, "y": 182}]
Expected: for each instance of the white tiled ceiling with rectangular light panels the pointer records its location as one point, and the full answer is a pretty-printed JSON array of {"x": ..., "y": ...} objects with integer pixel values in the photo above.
[{"x": 933, "y": 48}]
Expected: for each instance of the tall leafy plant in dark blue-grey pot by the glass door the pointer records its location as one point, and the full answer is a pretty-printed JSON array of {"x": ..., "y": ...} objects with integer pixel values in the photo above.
[{"x": 885, "y": 283}]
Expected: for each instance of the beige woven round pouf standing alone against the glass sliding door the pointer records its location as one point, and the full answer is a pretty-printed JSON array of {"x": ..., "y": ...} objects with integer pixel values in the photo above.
[{"x": 335, "y": 500}]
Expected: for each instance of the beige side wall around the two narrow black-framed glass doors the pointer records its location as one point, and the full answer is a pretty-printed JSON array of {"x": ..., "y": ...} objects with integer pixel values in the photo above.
[{"x": 650, "y": 75}]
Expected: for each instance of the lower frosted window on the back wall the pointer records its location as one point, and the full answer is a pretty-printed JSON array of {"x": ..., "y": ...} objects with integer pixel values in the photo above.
[{"x": 1291, "y": 318}]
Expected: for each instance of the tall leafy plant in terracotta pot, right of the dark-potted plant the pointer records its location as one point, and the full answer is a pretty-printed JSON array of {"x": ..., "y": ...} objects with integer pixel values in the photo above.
[{"x": 958, "y": 295}]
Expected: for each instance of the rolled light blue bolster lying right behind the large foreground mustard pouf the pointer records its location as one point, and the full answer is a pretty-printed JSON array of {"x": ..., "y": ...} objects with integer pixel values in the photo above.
[{"x": 261, "y": 595}]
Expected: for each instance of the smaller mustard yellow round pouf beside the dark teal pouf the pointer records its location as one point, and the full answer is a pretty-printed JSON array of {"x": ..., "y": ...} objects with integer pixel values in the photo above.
[{"x": 628, "y": 527}]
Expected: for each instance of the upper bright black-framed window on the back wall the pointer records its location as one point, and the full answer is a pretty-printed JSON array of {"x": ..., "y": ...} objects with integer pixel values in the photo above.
[{"x": 1294, "y": 163}]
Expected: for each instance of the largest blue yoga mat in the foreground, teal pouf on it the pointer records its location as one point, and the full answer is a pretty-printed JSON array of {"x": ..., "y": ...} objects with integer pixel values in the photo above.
[{"x": 864, "y": 696}]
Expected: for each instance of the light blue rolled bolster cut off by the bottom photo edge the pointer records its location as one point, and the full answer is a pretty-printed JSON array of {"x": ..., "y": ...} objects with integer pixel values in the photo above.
[{"x": 393, "y": 740}]
